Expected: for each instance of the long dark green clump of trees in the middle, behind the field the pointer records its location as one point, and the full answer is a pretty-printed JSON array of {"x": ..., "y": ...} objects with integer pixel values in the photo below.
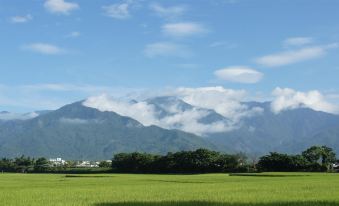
[{"x": 199, "y": 161}]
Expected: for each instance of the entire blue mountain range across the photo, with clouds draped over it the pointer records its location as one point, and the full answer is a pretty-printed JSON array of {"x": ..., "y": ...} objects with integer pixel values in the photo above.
[{"x": 82, "y": 131}]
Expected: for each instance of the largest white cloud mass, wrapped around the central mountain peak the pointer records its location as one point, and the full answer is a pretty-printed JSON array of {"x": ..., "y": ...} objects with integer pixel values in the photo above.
[{"x": 173, "y": 114}]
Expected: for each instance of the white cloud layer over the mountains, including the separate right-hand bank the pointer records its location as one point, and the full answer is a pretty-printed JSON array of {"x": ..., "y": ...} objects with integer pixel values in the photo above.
[{"x": 186, "y": 108}]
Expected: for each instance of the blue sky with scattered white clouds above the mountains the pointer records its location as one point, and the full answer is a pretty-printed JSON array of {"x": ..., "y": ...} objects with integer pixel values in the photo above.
[{"x": 54, "y": 52}]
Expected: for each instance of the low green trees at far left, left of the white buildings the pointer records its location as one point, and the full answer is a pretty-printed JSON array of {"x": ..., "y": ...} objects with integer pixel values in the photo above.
[{"x": 24, "y": 164}]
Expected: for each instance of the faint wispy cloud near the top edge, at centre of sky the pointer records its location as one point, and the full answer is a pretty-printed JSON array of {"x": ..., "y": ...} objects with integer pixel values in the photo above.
[{"x": 168, "y": 12}]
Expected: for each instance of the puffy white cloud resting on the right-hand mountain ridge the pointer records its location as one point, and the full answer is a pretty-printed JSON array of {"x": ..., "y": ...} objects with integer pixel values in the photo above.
[{"x": 288, "y": 99}]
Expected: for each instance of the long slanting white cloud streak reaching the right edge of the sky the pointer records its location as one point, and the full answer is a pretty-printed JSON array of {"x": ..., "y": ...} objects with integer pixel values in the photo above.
[{"x": 294, "y": 56}]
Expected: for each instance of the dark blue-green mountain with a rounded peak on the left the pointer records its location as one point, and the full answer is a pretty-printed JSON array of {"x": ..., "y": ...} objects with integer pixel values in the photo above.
[{"x": 78, "y": 132}]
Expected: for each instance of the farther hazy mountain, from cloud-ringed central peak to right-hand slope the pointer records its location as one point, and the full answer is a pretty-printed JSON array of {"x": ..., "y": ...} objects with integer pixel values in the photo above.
[{"x": 288, "y": 131}]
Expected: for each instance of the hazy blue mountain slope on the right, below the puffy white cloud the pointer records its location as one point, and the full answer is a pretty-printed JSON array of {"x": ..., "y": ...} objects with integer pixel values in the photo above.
[{"x": 288, "y": 131}]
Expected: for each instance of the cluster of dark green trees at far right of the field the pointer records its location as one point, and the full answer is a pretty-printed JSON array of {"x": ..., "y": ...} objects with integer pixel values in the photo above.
[{"x": 314, "y": 159}]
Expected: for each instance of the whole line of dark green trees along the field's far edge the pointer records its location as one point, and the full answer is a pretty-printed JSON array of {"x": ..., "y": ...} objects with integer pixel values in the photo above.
[{"x": 314, "y": 159}]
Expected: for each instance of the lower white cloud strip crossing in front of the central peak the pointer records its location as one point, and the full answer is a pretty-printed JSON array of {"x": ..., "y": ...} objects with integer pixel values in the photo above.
[{"x": 146, "y": 113}]
